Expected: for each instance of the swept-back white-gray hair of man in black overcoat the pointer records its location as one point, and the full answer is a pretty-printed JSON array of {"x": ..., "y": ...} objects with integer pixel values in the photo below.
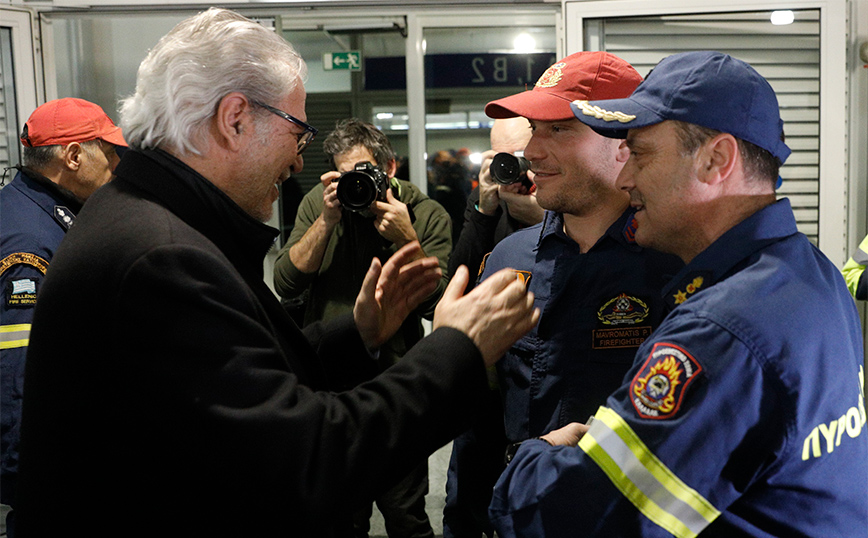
[{"x": 204, "y": 58}]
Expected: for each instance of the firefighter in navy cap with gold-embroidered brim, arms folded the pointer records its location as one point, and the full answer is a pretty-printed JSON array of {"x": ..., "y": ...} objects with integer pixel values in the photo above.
[{"x": 743, "y": 414}]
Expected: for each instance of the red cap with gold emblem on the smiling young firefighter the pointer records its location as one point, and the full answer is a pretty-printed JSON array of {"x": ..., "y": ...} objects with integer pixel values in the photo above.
[{"x": 583, "y": 75}]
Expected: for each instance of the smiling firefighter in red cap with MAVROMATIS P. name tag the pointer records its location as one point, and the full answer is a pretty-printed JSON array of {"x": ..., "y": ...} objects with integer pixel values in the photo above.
[{"x": 598, "y": 291}]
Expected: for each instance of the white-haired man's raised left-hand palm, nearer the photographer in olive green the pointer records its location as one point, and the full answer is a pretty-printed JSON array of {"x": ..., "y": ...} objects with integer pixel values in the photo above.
[{"x": 391, "y": 291}]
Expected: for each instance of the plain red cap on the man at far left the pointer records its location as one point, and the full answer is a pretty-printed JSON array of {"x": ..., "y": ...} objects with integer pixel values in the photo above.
[{"x": 59, "y": 122}]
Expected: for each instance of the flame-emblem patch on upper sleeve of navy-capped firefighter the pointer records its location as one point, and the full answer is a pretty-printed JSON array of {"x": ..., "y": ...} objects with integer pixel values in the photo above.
[{"x": 659, "y": 387}]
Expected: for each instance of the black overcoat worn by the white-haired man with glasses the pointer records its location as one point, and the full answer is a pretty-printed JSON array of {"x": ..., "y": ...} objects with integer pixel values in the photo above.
[{"x": 167, "y": 393}]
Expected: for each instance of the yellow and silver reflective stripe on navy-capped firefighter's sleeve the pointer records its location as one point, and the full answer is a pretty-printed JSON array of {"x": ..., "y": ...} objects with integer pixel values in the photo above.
[{"x": 643, "y": 479}]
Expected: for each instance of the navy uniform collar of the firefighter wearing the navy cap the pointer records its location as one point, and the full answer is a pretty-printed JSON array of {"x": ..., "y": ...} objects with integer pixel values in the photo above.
[{"x": 731, "y": 250}]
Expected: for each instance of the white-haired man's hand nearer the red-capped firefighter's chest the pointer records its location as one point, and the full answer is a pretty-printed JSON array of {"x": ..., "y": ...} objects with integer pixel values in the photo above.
[{"x": 495, "y": 314}]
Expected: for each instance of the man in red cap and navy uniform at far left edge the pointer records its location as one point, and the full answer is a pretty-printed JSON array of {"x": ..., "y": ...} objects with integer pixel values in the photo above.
[{"x": 69, "y": 152}]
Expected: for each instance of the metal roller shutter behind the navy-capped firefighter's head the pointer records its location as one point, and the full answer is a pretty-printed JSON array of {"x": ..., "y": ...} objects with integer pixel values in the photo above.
[{"x": 788, "y": 56}]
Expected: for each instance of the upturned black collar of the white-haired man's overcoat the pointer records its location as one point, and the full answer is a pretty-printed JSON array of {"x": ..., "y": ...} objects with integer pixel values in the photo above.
[{"x": 199, "y": 203}]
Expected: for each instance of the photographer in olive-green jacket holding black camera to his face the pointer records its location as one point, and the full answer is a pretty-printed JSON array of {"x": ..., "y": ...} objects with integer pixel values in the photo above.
[{"x": 358, "y": 212}]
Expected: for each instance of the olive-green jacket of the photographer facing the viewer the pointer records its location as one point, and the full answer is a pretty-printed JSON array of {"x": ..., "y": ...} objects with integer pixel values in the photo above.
[{"x": 353, "y": 243}]
